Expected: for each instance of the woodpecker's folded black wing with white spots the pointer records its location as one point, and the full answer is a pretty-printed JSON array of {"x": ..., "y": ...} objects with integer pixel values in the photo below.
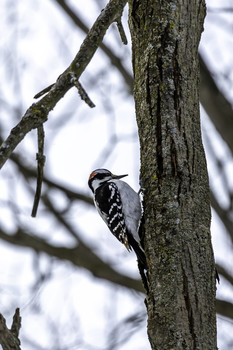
[{"x": 109, "y": 206}]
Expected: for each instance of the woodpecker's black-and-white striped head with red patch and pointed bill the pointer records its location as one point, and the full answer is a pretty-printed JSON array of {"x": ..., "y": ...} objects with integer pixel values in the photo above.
[{"x": 99, "y": 176}]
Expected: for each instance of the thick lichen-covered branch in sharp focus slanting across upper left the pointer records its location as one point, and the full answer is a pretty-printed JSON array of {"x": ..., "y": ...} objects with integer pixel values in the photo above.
[{"x": 37, "y": 114}]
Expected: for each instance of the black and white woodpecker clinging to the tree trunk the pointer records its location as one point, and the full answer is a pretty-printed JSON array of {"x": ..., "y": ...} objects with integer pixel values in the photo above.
[{"x": 120, "y": 208}]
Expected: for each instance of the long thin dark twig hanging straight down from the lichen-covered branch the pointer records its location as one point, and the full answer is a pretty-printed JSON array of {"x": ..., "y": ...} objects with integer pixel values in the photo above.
[{"x": 40, "y": 168}]
